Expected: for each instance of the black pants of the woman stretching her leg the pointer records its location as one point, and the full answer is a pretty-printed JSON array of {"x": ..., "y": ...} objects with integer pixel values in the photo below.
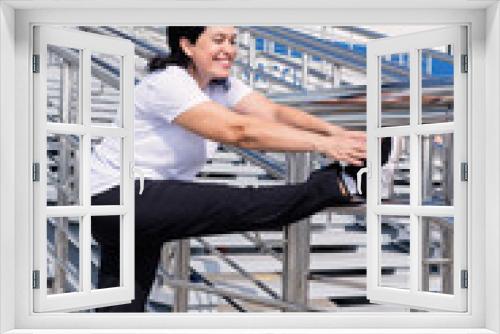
[{"x": 169, "y": 210}]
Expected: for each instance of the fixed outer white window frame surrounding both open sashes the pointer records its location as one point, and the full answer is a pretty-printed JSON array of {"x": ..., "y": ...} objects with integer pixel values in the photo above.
[{"x": 483, "y": 122}]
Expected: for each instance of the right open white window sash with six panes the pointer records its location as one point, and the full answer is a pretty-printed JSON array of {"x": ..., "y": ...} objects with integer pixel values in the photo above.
[{"x": 411, "y": 44}]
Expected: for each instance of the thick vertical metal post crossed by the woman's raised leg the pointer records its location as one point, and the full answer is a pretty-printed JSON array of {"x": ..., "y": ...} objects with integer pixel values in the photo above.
[{"x": 296, "y": 253}]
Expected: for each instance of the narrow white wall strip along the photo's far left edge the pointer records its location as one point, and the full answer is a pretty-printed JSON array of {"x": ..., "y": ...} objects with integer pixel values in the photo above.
[{"x": 6, "y": 167}]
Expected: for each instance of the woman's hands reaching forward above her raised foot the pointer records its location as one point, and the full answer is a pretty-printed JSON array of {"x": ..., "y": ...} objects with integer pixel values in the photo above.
[{"x": 347, "y": 146}]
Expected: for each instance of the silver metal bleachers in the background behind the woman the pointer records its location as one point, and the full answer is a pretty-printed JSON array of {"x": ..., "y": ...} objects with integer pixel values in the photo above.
[{"x": 243, "y": 272}]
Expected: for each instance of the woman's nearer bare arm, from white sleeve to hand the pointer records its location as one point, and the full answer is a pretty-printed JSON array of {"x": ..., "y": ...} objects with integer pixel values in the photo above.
[{"x": 213, "y": 121}]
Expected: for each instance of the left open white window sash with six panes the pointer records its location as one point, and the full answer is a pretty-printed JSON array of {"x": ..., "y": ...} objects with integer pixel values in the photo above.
[{"x": 88, "y": 43}]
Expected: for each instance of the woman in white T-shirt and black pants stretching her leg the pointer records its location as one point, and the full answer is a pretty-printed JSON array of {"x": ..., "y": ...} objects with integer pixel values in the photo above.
[{"x": 190, "y": 97}]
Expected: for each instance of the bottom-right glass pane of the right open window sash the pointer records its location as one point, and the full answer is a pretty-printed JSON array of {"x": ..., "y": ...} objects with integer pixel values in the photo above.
[{"x": 437, "y": 257}]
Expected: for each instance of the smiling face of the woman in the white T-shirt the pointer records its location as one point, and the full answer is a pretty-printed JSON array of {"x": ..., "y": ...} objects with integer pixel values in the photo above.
[{"x": 213, "y": 53}]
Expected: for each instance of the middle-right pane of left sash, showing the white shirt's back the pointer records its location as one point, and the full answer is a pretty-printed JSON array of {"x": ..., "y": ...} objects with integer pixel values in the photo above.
[{"x": 106, "y": 169}]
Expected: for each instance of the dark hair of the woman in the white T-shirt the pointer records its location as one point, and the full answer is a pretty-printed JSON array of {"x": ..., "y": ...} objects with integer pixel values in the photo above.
[{"x": 177, "y": 55}]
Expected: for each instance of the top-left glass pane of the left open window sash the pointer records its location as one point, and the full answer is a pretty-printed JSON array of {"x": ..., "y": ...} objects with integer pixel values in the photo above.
[{"x": 63, "y": 84}]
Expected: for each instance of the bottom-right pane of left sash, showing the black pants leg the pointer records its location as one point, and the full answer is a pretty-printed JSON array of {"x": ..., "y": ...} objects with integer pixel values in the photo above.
[{"x": 105, "y": 251}]
